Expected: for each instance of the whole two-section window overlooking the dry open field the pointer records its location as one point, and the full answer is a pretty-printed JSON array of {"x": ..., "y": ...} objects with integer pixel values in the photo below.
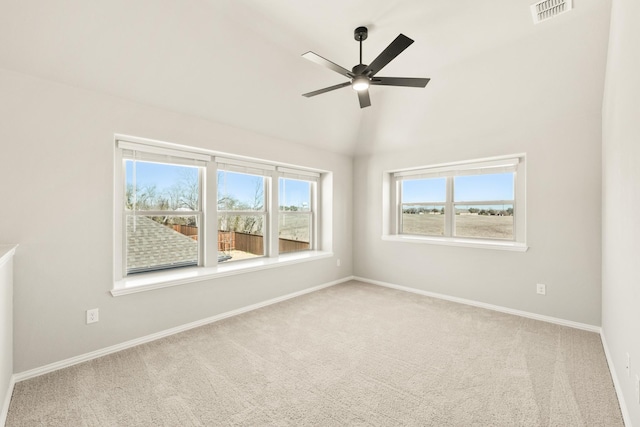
[{"x": 480, "y": 203}]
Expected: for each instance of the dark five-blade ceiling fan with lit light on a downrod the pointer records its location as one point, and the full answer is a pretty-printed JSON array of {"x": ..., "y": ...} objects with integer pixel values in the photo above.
[{"x": 362, "y": 75}]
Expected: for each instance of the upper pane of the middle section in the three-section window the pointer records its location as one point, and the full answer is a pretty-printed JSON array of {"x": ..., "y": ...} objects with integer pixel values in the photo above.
[{"x": 240, "y": 191}]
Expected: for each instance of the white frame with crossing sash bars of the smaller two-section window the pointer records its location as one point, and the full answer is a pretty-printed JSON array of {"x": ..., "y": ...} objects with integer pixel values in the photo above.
[{"x": 393, "y": 204}]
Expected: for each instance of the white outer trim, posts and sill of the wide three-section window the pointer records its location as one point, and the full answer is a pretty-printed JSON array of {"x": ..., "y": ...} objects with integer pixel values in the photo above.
[{"x": 208, "y": 267}]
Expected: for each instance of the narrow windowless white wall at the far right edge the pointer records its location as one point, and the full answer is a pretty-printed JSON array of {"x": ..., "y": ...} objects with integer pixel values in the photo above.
[{"x": 621, "y": 199}]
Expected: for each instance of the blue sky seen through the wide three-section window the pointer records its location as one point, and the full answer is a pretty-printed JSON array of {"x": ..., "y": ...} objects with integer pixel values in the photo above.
[{"x": 242, "y": 186}]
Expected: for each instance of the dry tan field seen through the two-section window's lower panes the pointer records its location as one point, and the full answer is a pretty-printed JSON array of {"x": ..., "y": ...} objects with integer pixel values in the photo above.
[{"x": 495, "y": 227}]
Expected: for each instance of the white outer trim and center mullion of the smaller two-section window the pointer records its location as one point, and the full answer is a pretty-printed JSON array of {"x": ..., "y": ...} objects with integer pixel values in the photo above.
[{"x": 391, "y": 202}]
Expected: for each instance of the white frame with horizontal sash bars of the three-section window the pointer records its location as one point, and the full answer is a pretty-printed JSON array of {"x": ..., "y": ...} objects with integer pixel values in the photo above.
[{"x": 208, "y": 165}]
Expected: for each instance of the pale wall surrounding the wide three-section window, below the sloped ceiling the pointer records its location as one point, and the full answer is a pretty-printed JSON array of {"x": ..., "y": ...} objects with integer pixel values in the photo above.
[{"x": 57, "y": 155}]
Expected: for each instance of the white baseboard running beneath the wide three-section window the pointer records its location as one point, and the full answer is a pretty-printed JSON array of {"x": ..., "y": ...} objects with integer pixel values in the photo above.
[{"x": 21, "y": 376}]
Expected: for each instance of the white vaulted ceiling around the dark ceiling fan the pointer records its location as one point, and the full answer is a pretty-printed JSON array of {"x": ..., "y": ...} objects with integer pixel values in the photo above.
[{"x": 238, "y": 62}]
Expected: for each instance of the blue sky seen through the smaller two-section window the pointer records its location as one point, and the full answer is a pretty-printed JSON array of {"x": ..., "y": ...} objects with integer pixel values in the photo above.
[{"x": 471, "y": 188}]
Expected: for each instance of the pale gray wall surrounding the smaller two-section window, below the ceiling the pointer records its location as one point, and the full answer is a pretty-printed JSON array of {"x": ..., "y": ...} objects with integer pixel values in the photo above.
[{"x": 563, "y": 225}]
